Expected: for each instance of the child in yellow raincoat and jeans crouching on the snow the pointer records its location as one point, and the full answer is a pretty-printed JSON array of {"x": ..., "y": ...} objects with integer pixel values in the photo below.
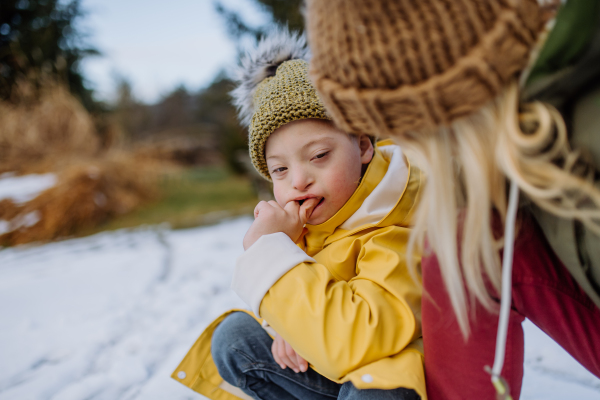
[{"x": 324, "y": 265}]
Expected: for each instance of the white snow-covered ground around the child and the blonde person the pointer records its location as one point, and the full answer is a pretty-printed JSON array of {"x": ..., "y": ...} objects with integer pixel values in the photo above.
[{"x": 109, "y": 317}]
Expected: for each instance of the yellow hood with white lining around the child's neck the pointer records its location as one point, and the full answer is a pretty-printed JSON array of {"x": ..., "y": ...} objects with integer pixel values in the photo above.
[{"x": 386, "y": 196}]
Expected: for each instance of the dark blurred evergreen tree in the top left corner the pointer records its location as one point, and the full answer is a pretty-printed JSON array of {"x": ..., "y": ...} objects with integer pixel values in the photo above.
[{"x": 39, "y": 41}]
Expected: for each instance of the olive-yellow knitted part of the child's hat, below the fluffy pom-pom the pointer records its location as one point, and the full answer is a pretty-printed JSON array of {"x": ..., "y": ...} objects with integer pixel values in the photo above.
[{"x": 288, "y": 96}]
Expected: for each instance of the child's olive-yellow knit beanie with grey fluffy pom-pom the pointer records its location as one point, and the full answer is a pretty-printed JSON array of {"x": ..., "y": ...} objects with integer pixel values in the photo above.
[{"x": 273, "y": 89}]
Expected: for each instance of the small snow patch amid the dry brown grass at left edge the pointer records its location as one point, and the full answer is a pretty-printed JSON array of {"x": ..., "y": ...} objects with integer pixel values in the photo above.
[{"x": 21, "y": 189}]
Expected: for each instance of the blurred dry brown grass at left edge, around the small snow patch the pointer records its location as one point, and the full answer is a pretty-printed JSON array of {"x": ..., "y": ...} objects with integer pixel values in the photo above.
[{"x": 54, "y": 133}]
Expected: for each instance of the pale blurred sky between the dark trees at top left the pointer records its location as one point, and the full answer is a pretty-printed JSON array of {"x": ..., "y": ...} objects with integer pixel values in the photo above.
[{"x": 158, "y": 45}]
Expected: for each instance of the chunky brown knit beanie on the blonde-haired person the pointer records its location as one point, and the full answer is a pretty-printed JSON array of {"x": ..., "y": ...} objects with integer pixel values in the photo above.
[{"x": 389, "y": 67}]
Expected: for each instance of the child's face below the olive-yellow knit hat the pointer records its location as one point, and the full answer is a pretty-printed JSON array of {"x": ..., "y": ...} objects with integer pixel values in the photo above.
[{"x": 311, "y": 158}]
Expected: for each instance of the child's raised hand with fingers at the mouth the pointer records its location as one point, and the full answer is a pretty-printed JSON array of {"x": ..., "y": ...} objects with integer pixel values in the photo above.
[{"x": 270, "y": 217}]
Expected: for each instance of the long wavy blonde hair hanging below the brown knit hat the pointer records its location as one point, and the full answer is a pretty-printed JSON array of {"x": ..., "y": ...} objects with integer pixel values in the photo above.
[{"x": 467, "y": 166}]
